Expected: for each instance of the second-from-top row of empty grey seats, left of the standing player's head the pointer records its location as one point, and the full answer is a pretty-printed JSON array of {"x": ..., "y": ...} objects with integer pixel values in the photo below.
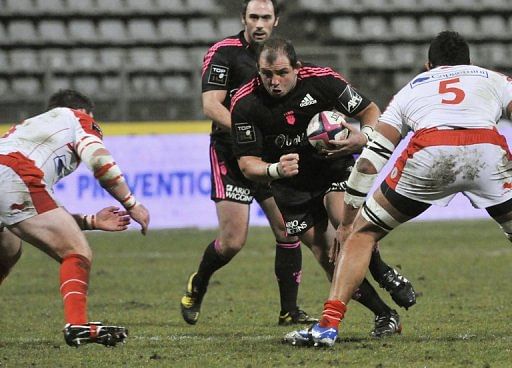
[{"x": 202, "y": 30}]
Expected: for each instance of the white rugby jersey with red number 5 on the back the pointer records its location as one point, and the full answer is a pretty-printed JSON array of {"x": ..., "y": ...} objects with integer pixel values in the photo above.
[{"x": 464, "y": 96}]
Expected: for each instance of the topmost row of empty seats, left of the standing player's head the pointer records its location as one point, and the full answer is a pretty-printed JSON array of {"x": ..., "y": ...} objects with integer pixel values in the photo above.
[{"x": 114, "y": 7}]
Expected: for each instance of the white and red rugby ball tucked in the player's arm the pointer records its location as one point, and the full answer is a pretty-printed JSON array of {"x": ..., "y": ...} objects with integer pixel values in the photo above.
[{"x": 324, "y": 126}]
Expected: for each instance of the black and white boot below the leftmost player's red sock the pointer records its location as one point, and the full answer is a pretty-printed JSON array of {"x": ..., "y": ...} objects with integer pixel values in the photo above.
[{"x": 94, "y": 332}]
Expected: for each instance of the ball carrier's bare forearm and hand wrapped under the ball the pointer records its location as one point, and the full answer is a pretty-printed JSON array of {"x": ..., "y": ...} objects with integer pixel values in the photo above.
[{"x": 357, "y": 139}]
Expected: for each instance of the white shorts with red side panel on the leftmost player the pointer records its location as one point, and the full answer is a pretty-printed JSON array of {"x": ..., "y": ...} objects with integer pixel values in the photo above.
[{"x": 23, "y": 191}]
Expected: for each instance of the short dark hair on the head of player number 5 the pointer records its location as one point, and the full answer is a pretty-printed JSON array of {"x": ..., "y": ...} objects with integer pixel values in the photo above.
[{"x": 448, "y": 48}]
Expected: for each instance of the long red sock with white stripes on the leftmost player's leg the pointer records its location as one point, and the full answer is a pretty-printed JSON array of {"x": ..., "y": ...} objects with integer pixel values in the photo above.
[{"x": 74, "y": 282}]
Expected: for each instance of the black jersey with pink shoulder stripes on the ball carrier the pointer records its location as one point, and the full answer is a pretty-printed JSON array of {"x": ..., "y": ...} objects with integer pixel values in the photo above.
[{"x": 270, "y": 127}]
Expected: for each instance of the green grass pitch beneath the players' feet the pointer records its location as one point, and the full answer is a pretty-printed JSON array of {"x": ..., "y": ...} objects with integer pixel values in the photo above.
[{"x": 461, "y": 270}]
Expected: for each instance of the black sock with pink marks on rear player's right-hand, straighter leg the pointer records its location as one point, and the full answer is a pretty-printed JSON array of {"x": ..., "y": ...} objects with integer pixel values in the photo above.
[{"x": 288, "y": 270}]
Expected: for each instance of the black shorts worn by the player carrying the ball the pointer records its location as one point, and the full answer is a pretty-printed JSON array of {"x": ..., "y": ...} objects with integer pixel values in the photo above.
[{"x": 302, "y": 209}]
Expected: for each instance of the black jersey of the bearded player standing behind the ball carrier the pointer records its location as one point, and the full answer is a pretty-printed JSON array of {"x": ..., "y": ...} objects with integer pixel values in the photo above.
[{"x": 227, "y": 65}]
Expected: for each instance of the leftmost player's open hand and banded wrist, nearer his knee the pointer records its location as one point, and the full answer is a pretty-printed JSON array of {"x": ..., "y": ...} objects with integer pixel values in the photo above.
[{"x": 107, "y": 219}]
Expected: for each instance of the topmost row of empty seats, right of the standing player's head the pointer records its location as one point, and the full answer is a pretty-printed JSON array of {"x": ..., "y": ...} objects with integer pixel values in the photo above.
[{"x": 378, "y": 6}]
